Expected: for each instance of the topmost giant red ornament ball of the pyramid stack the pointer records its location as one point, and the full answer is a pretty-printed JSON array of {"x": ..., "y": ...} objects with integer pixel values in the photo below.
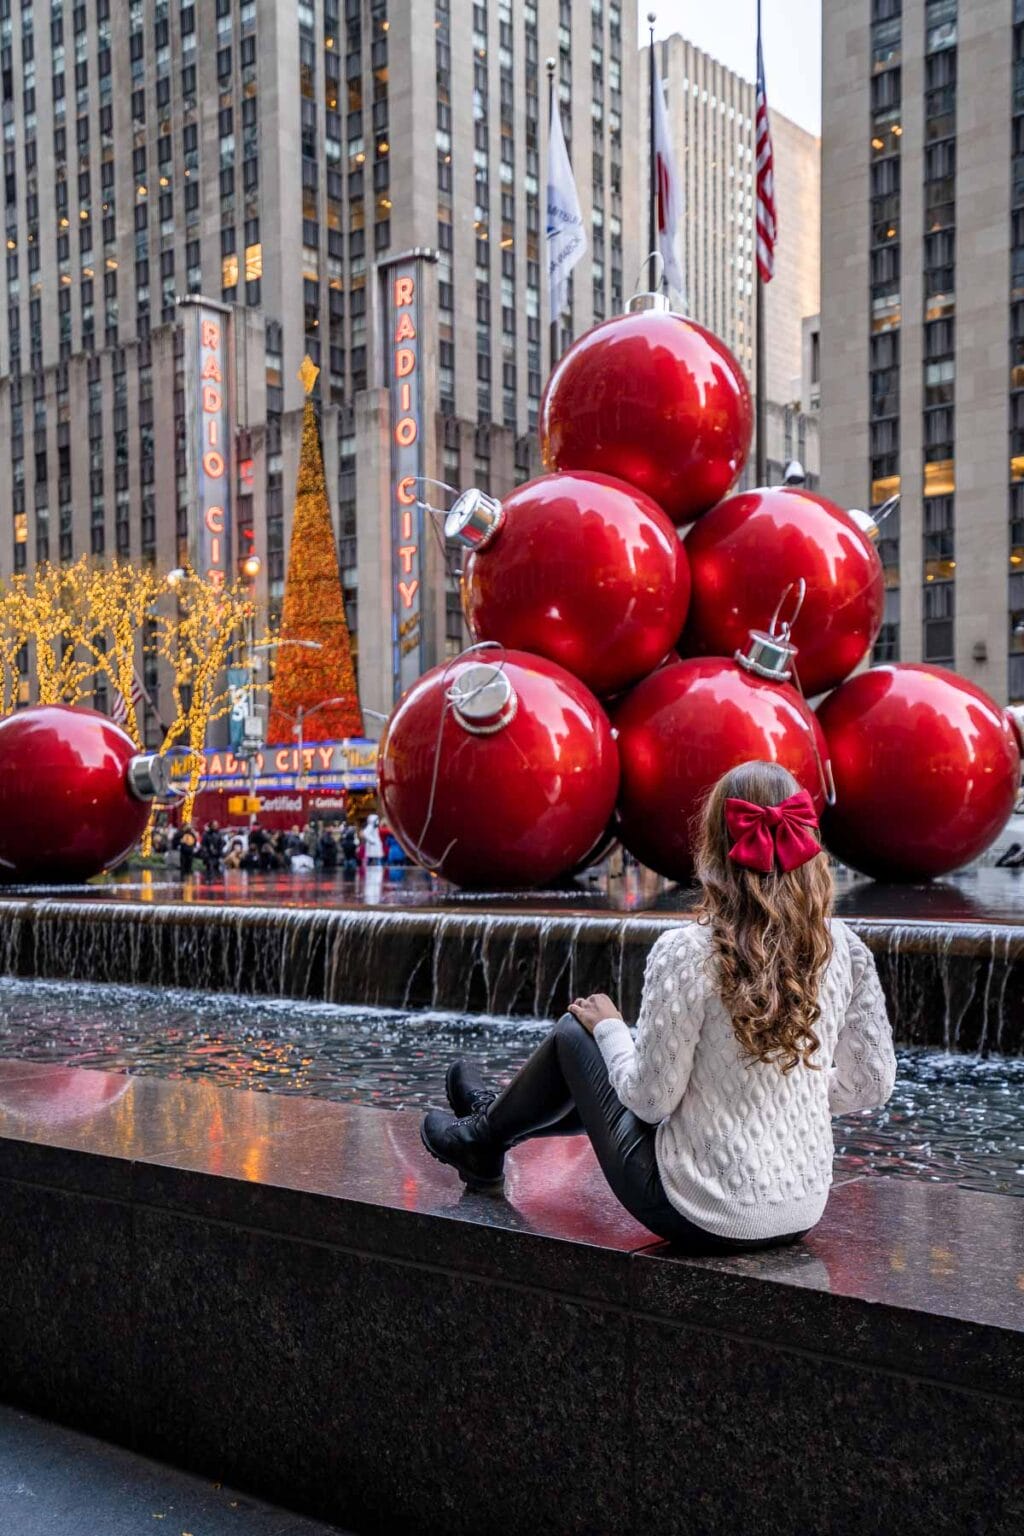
[{"x": 655, "y": 400}]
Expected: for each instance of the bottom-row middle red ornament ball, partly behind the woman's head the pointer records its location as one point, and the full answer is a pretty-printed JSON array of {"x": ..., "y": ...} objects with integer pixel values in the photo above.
[{"x": 682, "y": 729}]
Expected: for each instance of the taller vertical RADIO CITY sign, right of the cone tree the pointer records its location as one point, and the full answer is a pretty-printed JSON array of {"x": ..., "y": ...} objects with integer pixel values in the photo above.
[{"x": 408, "y": 466}]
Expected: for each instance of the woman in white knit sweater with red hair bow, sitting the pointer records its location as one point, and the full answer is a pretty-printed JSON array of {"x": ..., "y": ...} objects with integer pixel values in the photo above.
[{"x": 759, "y": 1022}]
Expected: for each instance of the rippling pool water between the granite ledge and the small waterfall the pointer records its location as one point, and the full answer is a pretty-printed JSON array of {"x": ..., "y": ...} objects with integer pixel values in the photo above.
[{"x": 954, "y": 1119}]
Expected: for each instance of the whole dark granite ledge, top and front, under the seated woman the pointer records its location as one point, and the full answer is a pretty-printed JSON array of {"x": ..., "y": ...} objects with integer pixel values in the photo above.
[{"x": 291, "y": 1297}]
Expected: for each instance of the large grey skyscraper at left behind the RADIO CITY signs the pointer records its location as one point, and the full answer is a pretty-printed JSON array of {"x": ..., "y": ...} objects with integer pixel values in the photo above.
[{"x": 329, "y": 177}]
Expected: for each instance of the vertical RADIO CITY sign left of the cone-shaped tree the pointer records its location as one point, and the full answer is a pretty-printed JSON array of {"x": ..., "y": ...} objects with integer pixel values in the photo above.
[{"x": 208, "y": 357}]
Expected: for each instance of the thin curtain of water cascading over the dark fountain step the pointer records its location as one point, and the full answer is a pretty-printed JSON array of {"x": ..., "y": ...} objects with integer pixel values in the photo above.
[{"x": 950, "y": 984}]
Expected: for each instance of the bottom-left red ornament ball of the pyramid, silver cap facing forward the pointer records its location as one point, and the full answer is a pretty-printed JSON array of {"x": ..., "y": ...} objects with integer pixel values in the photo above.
[{"x": 498, "y": 770}]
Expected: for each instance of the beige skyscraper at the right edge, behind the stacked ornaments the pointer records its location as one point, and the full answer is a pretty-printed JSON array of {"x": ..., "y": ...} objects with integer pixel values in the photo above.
[{"x": 923, "y": 316}]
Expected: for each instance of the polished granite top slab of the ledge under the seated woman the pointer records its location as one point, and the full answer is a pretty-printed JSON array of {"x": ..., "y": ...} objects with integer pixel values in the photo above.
[{"x": 920, "y": 1277}]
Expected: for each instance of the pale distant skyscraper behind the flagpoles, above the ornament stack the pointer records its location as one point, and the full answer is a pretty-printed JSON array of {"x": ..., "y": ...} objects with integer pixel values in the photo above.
[{"x": 712, "y": 122}]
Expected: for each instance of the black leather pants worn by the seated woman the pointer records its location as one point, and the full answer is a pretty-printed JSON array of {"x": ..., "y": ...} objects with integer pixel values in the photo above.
[{"x": 564, "y": 1090}]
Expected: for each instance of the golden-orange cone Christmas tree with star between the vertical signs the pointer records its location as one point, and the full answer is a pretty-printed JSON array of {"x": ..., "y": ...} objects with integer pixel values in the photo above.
[{"x": 314, "y": 611}]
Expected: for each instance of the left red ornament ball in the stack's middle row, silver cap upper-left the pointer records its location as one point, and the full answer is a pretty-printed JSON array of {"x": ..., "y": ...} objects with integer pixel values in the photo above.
[{"x": 576, "y": 568}]
